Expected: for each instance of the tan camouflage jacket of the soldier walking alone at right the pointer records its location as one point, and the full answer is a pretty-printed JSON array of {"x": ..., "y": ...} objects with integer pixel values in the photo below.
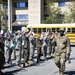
[{"x": 62, "y": 44}]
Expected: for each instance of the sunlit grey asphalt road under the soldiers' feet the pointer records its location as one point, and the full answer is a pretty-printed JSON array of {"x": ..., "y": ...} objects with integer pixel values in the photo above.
[{"x": 47, "y": 67}]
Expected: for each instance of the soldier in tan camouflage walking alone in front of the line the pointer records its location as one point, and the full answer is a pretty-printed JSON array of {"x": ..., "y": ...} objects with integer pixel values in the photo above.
[{"x": 62, "y": 48}]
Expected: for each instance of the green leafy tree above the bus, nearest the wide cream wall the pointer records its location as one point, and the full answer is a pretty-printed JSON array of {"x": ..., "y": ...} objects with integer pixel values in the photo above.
[{"x": 54, "y": 13}]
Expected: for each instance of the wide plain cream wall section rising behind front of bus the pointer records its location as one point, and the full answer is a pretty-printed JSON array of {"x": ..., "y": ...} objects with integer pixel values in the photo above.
[{"x": 34, "y": 11}]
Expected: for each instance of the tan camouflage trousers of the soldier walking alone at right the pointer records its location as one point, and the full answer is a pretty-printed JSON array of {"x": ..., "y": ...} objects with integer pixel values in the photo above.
[{"x": 60, "y": 61}]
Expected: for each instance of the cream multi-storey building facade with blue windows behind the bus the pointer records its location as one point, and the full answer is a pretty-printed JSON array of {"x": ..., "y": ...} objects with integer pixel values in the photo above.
[{"x": 24, "y": 12}]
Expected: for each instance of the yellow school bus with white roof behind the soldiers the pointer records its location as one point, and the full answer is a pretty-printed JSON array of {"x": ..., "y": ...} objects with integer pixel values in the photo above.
[{"x": 69, "y": 29}]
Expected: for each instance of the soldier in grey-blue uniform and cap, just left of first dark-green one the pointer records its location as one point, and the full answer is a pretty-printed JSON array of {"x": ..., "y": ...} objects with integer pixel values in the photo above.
[{"x": 18, "y": 48}]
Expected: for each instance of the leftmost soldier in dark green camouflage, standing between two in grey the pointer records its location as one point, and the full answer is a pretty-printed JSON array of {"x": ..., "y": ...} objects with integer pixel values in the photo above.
[{"x": 26, "y": 50}]
